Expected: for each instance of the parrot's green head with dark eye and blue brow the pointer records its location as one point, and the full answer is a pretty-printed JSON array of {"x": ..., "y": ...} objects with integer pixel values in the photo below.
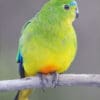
[{"x": 62, "y": 10}]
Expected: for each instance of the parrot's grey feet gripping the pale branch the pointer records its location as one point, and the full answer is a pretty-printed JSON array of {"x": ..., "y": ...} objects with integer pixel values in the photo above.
[{"x": 49, "y": 80}]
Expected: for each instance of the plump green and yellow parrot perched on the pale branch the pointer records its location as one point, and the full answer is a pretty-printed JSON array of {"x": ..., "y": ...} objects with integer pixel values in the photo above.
[{"x": 48, "y": 42}]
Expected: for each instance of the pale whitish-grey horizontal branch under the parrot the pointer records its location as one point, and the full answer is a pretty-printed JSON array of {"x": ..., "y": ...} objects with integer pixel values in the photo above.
[{"x": 63, "y": 80}]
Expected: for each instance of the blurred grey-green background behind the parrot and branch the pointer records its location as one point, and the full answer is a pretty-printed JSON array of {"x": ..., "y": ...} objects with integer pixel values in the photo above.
[{"x": 14, "y": 13}]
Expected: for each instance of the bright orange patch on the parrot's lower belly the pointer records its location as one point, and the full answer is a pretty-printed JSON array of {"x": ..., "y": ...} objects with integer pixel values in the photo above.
[{"x": 48, "y": 69}]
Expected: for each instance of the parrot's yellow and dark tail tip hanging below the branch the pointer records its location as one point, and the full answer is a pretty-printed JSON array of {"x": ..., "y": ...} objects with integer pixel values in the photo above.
[{"x": 23, "y": 94}]
